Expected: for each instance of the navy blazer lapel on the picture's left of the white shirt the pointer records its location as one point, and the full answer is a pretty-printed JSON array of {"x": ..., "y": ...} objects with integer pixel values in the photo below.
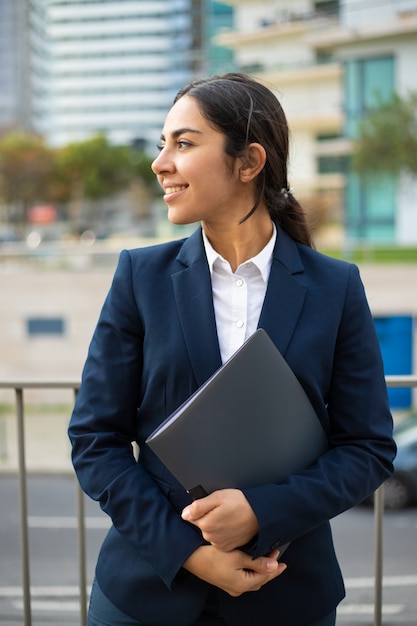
[{"x": 192, "y": 288}]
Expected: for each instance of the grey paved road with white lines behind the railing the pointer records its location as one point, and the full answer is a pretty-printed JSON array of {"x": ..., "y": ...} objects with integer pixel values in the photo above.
[{"x": 54, "y": 559}]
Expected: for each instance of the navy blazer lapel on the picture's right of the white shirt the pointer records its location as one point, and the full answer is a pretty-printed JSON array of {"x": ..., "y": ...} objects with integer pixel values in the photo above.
[{"x": 285, "y": 293}]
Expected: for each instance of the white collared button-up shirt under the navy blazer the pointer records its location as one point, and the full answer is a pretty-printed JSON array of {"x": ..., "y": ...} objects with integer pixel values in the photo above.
[{"x": 238, "y": 296}]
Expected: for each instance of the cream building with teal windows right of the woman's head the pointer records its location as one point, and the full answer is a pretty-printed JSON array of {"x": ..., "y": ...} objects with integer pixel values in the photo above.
[{"x": 329, "y": 61}]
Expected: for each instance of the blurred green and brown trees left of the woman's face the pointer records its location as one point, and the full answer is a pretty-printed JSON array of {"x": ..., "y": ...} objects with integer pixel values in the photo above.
[{"x": 32, "y": 172}]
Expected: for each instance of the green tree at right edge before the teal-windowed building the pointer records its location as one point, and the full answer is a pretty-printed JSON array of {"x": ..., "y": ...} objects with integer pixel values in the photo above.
[{"x": 387, "y": 138}]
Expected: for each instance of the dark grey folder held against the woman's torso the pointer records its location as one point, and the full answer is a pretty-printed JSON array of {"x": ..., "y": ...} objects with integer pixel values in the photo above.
[{"x": 250, "y": 424}]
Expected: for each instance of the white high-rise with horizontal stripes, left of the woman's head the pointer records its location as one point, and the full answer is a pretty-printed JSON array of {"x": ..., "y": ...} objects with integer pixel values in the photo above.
[{"x": 117, "y": 65}]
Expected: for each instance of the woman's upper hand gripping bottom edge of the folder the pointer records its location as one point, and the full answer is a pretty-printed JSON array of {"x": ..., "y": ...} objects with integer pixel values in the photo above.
[{"x": 225, "y": 518}]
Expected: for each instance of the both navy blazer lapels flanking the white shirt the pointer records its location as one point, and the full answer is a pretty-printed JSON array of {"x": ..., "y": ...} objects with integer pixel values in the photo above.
[{"x": 192, "y": 287}]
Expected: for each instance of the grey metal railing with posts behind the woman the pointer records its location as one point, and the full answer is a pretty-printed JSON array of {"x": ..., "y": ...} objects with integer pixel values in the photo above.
[{"x": 20, "y": 386}]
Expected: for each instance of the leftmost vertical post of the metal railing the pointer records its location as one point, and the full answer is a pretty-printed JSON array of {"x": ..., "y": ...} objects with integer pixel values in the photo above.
[{"x": 24, "y": 534}]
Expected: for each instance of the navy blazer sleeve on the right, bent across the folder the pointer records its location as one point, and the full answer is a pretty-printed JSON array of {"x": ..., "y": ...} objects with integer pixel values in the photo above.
[{"x": 360, "y": 435}]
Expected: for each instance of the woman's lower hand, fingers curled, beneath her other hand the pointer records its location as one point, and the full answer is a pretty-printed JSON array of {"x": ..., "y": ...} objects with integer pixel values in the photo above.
[{"x": 234, "y": 572}]
